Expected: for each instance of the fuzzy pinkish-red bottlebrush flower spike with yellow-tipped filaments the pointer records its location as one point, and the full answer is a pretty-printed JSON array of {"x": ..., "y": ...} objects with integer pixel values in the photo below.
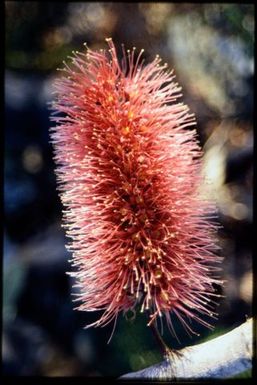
[{"x": 128, "y": 166}]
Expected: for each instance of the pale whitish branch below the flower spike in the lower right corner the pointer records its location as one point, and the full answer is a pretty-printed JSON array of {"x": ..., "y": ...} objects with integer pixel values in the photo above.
[{"x": 222, "y": 357}]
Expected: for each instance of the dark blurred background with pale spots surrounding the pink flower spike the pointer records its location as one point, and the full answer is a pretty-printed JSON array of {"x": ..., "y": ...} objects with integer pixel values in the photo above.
[{"x": 210, "y": 46}]
